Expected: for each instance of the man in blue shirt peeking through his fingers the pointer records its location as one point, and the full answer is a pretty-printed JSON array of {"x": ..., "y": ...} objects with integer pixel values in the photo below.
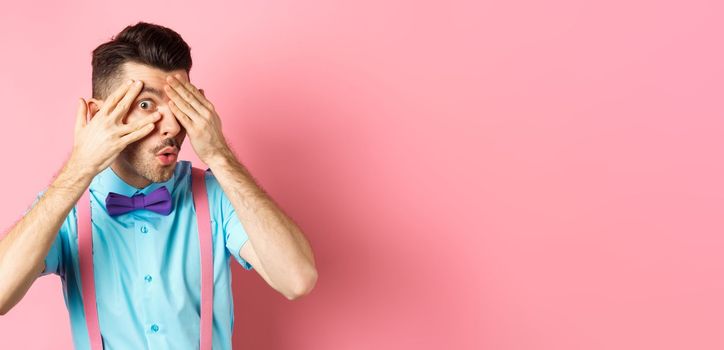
[{"x": 147, "y": 263}]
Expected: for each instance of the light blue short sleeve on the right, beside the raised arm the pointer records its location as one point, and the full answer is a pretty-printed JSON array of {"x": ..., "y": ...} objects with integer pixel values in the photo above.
[{"x": 234, "y": 231}]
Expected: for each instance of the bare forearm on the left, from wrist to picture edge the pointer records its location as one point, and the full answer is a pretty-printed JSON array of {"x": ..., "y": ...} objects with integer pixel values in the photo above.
[{"x": 23, "y": 249}]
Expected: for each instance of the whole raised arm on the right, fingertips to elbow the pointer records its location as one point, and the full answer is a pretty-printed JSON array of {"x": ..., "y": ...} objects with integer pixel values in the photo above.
[{"x": 279, "y": 245}]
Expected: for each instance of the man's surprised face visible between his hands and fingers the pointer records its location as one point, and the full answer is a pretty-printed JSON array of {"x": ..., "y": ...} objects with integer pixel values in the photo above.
[{"x": 138, "y": 163}]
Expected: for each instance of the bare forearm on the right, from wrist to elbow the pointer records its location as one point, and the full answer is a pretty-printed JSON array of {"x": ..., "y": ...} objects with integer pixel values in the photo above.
[{"x": 278, "y": 242}]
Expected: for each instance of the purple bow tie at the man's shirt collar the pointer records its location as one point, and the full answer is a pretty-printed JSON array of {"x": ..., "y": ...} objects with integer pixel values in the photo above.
[{"x": 158, "y": 201}]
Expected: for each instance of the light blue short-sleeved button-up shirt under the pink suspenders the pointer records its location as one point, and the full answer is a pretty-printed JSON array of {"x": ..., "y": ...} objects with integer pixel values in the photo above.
[{"x": 147, "y": 266}]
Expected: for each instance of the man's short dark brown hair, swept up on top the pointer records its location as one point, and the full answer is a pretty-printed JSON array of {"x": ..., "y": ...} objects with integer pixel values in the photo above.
[{"x": 145, "y": 43}]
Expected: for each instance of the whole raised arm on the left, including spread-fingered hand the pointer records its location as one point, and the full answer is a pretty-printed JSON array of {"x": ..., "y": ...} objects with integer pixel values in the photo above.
[{"x": 97, "y": 143}]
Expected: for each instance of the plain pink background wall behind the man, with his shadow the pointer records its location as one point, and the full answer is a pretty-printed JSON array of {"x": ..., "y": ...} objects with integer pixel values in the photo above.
[{"x": 471, "y": 175}]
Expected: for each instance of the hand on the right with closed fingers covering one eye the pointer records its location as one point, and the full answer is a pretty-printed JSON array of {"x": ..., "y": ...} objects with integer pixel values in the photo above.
[{"x": 198, "y": 117}]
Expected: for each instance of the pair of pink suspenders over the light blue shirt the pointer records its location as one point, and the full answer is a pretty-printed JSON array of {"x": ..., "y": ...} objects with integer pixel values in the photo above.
[{"x": 85, "y": 259}]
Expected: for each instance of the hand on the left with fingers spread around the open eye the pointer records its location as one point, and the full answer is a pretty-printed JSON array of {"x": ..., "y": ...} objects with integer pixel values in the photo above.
[{"x": 99, "y": 141}]
